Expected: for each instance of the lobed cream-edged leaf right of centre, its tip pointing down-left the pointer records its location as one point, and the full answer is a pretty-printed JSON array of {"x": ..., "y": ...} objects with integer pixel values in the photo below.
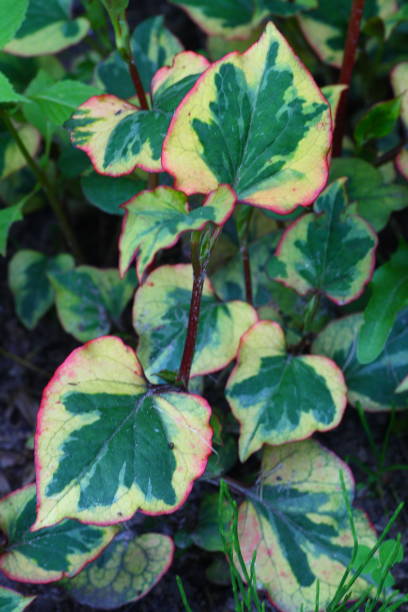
[{"x": 277, "y": 397}]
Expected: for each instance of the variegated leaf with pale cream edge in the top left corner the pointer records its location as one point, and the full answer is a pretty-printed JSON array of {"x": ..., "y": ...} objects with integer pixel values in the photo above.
[{"x": 47, "y": 29}]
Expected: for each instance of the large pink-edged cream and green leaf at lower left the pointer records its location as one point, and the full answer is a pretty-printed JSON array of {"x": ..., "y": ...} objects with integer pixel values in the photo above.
[{"x": 108, "y": 444}]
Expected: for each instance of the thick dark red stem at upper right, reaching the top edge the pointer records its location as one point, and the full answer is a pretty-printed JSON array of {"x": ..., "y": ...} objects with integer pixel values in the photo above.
[{"x": 346, "y": 72}]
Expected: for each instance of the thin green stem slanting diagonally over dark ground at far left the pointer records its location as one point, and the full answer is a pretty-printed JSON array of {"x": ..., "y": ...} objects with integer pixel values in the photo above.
[{"x": 47, "y": 187}]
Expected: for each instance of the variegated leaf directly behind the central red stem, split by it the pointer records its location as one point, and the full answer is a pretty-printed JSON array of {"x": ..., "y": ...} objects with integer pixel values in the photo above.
[{"x": 160, "y": 318}]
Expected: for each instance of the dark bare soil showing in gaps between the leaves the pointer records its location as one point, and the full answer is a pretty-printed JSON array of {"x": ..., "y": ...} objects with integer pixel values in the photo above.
[{"x": 48, "y": 345}]
